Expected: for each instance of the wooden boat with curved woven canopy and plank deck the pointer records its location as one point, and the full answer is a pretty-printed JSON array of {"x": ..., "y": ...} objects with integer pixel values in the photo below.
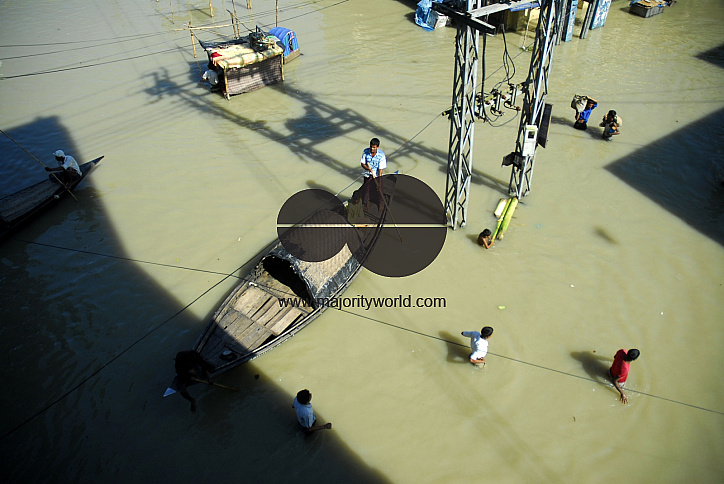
[{"x": 283, "y": 294}]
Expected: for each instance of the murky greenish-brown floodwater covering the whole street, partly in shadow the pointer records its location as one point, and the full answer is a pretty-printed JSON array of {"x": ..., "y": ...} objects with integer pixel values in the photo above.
[{"x": 618, "y": 245}]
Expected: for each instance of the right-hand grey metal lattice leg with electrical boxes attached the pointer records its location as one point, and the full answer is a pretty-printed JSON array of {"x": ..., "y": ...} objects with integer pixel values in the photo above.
[{"x": 535, "y": 91}]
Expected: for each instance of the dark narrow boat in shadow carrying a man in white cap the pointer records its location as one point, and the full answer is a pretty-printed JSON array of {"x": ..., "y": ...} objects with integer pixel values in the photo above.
[{"x": 21, "y": 207}]
